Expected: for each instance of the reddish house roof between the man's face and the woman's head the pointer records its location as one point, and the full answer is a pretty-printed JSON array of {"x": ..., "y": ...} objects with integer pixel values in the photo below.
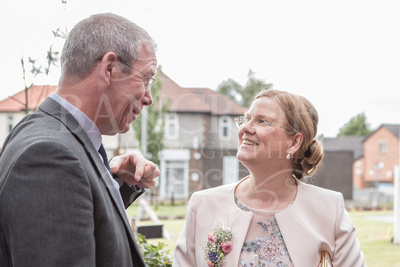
[{"x": 198, "y": 100}]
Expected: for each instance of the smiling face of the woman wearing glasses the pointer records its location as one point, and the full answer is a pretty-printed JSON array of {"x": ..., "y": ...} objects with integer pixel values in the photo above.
[{"x": 263, "y": 140}]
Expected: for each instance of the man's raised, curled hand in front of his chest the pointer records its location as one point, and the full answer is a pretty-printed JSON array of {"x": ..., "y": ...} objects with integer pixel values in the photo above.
[{"x": 134, "y": 169}]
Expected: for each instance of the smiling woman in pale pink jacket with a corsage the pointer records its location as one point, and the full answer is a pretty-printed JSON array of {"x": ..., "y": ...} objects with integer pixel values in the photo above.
[{"x": 271, "y": 217}]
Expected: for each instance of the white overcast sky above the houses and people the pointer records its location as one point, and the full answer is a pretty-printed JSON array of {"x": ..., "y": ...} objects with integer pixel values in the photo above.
[{"x": 343, "y": 55}]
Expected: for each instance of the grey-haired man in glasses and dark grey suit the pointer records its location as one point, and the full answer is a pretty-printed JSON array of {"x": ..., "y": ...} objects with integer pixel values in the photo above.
[{"x": 59, "y": 205}]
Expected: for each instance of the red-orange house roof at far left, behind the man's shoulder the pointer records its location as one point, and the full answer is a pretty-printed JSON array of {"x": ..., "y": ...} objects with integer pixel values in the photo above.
[{"x": 36, "y": 95}]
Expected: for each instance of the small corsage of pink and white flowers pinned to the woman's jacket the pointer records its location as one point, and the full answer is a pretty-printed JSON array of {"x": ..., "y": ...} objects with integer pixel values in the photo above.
[{"x": 218, "y": 244}]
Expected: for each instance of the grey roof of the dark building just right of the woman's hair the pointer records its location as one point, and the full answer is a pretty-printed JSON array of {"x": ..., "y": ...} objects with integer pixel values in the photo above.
[{"x": 345, "y": 143}]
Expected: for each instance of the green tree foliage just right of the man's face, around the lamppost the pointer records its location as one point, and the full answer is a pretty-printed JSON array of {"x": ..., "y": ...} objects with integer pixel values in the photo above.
[{"x": 155, "y": 123}]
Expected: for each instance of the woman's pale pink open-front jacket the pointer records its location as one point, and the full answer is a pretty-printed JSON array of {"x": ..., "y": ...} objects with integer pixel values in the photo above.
[{"x": 316, "y": 221}]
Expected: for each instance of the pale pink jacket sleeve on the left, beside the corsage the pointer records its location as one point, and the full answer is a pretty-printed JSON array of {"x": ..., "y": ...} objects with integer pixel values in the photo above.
[{"x": 185, "y": 249}]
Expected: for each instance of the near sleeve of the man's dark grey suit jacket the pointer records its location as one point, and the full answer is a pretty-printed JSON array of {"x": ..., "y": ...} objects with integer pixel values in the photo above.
[{"x": 47, "y": 208}]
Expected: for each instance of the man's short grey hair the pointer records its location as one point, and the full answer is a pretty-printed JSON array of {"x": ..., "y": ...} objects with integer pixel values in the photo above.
[{"x": 93, "y": 37}]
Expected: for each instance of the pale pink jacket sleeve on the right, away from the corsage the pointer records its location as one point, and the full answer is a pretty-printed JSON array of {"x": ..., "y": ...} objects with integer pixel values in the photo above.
[{"x": 347, "y": 247}]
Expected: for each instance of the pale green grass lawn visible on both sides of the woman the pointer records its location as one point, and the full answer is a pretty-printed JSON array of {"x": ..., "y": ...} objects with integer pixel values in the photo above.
[{"x": 374, "y": 234}]
